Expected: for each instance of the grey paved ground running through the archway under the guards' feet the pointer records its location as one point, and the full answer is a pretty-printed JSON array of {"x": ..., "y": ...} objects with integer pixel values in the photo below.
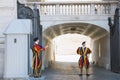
[{"x": 70, "y": 71}]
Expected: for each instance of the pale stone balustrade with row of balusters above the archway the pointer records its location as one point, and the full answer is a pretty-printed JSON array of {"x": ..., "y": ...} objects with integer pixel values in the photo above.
[{"x": 75, "y": 8}]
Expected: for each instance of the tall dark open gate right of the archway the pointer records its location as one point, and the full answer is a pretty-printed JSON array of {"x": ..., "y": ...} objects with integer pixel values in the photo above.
[{"x": 115, "y": 40}]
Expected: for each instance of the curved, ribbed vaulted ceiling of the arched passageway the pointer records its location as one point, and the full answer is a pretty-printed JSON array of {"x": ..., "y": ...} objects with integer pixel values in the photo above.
[{"x": 93, "y": 31}]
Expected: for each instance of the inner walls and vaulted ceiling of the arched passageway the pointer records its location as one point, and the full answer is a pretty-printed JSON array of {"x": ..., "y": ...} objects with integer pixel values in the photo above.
[{"x": 99, "y": 41}]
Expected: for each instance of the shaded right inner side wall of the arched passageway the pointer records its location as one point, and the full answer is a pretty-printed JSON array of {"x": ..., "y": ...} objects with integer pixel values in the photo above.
[{"x": 101, "y": 53}]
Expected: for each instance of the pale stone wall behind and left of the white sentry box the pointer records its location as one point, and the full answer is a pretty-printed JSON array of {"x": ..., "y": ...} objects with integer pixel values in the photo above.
[{"x": 8, "y": 12}]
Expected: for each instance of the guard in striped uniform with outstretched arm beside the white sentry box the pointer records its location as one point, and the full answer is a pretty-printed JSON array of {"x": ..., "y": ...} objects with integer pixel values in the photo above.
[{"x": 37, "y": 61}]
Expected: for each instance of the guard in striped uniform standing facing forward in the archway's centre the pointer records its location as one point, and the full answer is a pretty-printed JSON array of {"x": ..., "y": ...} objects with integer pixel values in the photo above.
[{"x": 83, "y": 60}]
